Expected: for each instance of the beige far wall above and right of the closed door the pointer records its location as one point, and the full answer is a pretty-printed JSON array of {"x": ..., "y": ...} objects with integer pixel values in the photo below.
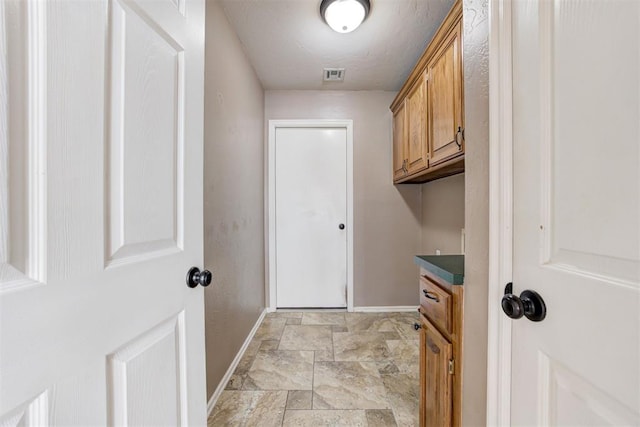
[{"x": 386, "y": 218}]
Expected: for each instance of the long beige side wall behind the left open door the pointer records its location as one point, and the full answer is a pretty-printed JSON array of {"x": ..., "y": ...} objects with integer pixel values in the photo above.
[{"x": 233, "y": 195}]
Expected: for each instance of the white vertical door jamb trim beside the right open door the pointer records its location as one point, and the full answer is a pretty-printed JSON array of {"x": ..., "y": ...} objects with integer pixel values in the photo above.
[{"x": 500, "y": 213}]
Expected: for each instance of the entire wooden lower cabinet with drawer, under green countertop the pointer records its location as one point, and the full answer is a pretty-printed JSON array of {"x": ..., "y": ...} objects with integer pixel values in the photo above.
[{"x": 440, "y": 352}]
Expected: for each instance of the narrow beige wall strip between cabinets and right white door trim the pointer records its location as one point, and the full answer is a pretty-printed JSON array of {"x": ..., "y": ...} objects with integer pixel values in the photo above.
[{"x": 476, "y": 91}]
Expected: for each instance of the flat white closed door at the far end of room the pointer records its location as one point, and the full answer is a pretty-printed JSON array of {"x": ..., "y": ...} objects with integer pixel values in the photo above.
[{"x": 311, "y": 217}]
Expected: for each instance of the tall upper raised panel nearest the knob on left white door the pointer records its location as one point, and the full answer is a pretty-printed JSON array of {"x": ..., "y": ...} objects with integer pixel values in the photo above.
[{"x": 147, "y": 116}]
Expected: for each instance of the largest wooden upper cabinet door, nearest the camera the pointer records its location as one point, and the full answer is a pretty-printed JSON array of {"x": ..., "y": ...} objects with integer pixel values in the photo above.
[{"x": 445, "y": 100}]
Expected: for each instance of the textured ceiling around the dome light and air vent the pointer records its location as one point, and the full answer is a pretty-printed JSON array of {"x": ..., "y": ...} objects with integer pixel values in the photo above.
[{"x": 289, "y": 44}]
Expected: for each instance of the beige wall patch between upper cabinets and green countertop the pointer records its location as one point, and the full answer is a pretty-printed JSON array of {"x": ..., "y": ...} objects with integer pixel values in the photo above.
[{"x": 443, "y": 215}]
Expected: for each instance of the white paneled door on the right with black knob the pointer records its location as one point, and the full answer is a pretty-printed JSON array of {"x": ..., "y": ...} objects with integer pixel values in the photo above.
[{"x": 576, "y": 135}]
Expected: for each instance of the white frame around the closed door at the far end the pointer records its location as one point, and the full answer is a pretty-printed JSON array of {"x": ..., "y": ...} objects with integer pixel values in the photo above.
[{"x": 270, "y": 230}]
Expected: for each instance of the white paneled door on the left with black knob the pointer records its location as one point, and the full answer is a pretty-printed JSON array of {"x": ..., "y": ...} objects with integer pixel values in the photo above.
[{"x": 101, "y": 212}]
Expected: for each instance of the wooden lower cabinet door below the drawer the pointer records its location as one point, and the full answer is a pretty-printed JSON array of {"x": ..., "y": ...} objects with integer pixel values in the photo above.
[{"x": 436, "y": 383}]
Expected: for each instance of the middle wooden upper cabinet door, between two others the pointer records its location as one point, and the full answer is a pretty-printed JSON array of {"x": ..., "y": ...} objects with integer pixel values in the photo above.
[{"x": 417, "y": 154}]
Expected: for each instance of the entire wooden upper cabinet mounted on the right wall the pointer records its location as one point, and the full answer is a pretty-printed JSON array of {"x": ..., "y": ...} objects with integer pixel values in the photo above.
[{"x": 428, "y": 141}]
